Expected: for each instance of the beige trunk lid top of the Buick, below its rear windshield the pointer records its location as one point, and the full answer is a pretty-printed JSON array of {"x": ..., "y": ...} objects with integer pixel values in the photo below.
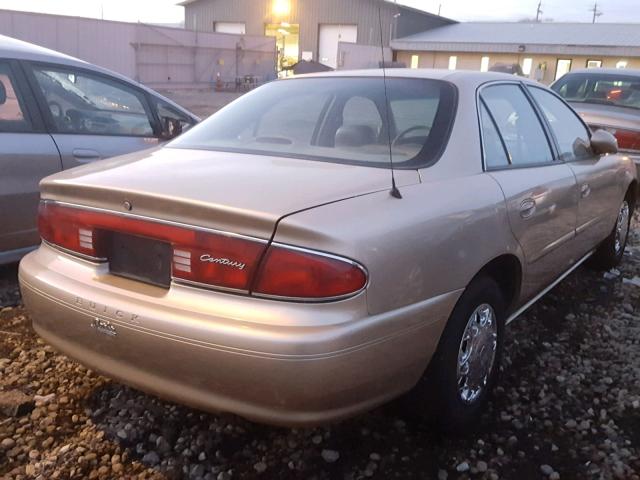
[{"x": 240, "y": 193}]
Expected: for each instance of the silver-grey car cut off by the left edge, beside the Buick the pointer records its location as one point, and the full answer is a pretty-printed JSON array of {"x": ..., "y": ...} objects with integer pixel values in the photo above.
[{"x": 58, "y": 112}]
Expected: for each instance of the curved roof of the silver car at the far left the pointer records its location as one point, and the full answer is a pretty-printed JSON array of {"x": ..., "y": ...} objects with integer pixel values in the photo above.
[{"x": 11, "y": 48}]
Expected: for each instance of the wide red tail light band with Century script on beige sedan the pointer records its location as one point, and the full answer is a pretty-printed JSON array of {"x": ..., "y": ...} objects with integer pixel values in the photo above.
[{"x": 207, "y": 257}]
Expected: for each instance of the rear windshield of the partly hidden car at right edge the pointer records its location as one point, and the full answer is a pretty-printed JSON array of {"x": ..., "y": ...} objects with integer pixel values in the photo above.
[{"x": 608, "y": 89}]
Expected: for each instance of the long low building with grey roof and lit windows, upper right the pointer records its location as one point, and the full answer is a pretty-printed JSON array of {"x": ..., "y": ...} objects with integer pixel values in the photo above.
[{"x": 544, "y": 51}]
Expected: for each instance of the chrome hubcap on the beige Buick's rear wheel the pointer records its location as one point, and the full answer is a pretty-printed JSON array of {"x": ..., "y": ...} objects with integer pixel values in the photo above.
[{"x": 477, "y": 353}]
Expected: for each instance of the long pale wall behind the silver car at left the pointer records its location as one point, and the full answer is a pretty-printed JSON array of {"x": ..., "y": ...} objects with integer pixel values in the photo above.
[{"x": 157, "y": 56}]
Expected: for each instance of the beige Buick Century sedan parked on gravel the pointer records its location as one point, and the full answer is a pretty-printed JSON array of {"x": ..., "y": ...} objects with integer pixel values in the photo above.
[{"x": 263, "y": 264}]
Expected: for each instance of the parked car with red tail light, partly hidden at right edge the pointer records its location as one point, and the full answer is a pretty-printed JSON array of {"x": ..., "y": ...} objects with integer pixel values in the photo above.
[{"x": 607, "y": 99}]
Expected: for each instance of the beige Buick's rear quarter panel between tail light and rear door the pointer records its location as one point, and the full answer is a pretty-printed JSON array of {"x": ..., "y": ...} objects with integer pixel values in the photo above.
[{"x": 432, "y": 241}]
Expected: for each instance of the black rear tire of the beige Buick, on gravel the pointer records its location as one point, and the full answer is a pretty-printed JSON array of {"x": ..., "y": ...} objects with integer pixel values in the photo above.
[{"x": 439, "y": 397}]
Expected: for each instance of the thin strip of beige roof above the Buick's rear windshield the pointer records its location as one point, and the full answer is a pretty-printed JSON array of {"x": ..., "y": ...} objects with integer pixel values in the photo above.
[{"x": 453, "y": 76}]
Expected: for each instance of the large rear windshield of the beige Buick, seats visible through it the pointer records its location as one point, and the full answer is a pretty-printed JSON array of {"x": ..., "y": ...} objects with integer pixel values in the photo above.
[{"x": 338, "y": 119}]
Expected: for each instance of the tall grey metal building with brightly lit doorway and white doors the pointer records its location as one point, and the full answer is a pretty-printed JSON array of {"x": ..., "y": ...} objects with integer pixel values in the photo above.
[{"x": 312, "y": 29}]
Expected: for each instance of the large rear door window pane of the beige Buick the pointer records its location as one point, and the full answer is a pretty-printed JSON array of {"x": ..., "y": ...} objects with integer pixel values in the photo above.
[{"x": 518, "y": 124}]
